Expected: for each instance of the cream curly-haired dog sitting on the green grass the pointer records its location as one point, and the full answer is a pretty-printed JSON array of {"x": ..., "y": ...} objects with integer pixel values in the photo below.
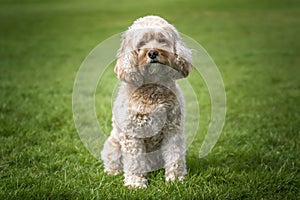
[{"x": 148, "y": 113}]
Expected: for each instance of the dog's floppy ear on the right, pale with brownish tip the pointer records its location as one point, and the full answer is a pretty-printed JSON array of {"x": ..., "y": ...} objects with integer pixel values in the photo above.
[{"x": 183, "y": 57}]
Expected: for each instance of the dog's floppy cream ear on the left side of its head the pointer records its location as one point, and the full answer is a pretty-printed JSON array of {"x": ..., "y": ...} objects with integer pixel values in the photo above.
[{"x": 126, "y": 58}]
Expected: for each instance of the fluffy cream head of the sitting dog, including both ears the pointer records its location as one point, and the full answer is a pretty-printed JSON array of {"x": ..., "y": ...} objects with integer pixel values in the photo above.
[{"x": 150, "y": 42}]
